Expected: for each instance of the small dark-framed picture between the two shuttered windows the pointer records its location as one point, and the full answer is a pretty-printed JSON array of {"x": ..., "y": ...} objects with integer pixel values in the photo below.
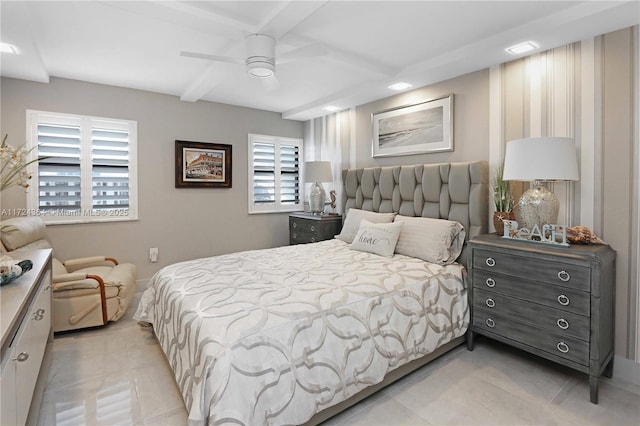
[{"x": 203, "y": 165}]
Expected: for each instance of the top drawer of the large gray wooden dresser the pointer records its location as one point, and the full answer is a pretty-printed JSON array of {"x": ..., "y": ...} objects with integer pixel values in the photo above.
[{"x": 558, "y": 273}]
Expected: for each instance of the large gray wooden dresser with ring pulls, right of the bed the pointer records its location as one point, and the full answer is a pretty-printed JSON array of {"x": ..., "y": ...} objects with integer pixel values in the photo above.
[{"x": 555, "y": 302}]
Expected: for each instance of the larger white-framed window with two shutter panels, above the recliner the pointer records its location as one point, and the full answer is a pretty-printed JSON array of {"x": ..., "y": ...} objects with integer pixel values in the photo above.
[{"x": 87, "y": 171}]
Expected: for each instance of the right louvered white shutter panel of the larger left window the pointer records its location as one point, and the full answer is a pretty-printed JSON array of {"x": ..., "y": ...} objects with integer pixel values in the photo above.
[{"x": 110, "y": 168}]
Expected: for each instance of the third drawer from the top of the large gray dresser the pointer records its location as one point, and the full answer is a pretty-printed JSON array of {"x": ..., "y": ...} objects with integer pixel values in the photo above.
[{"x": 556, "y": 320}]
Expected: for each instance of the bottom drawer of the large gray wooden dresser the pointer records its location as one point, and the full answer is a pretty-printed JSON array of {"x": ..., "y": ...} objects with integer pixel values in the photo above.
[{"x": 557, "y": 344}]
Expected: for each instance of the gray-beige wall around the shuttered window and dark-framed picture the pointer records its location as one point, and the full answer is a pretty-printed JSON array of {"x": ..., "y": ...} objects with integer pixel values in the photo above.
[{"x": 182, "y": 223}]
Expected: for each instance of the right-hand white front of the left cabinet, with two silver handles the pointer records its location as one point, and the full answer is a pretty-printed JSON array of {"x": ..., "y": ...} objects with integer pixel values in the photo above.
[{"x": 29, "y": 350}]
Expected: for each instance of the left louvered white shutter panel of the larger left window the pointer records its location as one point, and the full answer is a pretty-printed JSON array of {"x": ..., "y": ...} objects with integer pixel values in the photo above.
[{"x": 59, "y": 179}]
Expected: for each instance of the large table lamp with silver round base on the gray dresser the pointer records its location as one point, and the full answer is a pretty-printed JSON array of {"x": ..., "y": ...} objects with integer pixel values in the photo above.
[{"x": 540, "y": 160}]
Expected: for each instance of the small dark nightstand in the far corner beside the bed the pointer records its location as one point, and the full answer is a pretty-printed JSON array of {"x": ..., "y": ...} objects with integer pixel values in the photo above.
[{"x": 309, "y": 228}]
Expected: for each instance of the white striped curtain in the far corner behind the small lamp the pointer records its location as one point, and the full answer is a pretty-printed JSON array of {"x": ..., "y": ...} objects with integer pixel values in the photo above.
[{"x": 331, "y": 138}]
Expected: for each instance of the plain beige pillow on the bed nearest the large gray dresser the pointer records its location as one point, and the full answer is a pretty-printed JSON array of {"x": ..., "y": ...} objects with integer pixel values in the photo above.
[{"x": 433, "y": 240}]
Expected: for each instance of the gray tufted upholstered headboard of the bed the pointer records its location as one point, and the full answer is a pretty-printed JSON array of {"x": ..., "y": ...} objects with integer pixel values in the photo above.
[{"x": 454, "y": 191}]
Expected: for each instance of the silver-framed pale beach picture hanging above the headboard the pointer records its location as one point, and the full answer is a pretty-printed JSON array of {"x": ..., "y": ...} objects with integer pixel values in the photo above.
[{"x": 422, "y": 128}]
